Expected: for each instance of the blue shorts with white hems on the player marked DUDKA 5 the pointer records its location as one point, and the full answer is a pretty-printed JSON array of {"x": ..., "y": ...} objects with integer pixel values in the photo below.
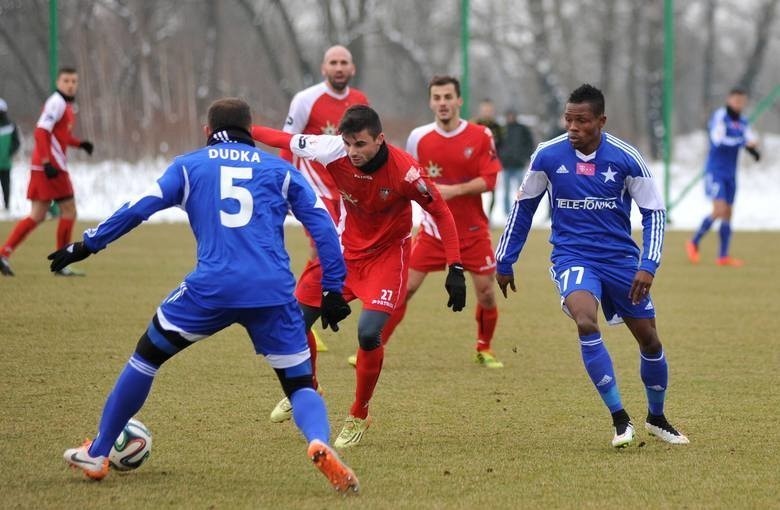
[{"x": 277, "y": 332}]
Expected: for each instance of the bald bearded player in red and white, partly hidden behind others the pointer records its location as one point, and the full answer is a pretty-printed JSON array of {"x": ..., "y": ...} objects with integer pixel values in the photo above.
[{"x": 317, "y": 110}]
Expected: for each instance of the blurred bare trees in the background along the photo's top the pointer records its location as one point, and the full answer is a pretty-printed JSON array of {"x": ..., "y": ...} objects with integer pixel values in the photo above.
[{"x": 149, "y": 68}]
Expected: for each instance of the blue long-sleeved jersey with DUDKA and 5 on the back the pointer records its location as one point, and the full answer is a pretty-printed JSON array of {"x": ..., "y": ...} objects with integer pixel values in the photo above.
[{"x": 236, "y": 198}]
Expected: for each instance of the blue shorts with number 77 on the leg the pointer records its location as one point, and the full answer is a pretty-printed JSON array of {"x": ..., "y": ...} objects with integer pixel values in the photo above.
[{"x": 609, "y": 284}]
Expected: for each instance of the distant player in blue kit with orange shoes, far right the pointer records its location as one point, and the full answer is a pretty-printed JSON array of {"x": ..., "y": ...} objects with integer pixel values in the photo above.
[{"x": 728, "y": 132}]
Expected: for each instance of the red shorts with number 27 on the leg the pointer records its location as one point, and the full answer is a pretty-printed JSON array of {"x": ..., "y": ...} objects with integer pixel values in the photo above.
[{"x": 378, "y": 281}]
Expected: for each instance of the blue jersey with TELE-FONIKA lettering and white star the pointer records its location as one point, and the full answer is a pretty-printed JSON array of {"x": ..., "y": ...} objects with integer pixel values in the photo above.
[{"x": 590, "y": 198}]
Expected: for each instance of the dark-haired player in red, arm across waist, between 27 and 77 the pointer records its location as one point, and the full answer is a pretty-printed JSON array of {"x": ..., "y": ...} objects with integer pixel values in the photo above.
[{"x": 460, "y": 157}]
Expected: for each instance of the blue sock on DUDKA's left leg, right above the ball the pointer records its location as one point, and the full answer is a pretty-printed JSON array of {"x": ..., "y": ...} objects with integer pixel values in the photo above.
[{"x": 128, "y": 396}]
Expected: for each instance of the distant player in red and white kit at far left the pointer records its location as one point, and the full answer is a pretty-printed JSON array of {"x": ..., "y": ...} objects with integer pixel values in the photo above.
[{"x": 49, "y": 177}]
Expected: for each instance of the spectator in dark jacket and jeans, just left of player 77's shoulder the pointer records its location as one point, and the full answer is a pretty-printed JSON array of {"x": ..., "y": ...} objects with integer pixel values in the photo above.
[{"x": 514, "y": 154}]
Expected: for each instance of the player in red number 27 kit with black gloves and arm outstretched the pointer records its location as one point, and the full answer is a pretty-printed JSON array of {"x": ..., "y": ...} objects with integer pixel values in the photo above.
[{"x": 378, "y": 183}]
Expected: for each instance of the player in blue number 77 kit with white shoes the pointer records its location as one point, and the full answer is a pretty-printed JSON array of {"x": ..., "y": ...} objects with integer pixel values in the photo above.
[{"x": 592, "y": 177}]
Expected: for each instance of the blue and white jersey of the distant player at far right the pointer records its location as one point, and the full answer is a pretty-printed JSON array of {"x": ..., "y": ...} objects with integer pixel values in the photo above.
[{"x": 727, "y": 135}]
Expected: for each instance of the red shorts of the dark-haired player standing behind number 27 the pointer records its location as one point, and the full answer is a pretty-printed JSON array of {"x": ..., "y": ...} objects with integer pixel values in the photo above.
[{"x": 476, "y": 254}]
